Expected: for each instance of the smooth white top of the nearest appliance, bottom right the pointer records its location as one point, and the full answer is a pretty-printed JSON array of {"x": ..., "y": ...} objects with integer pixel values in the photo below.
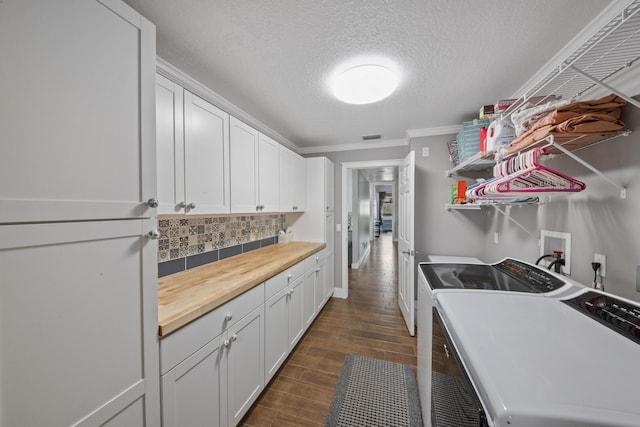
[{"x": 538, "y": 361}]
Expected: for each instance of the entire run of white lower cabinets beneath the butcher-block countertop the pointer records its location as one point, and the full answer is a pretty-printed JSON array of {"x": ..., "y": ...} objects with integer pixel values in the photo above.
[{"x": 214, "y": 368}]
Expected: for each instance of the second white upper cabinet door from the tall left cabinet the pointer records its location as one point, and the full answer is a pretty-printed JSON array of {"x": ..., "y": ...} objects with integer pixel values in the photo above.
[{"x": 206, "y": 139}]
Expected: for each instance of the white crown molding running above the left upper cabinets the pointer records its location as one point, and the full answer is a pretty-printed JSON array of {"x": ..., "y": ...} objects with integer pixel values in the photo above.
[{"x": 179, "y": 77}]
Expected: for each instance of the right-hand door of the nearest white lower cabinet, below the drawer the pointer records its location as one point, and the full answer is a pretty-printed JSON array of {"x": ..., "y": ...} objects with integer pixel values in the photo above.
[{"x": 245, "y": 364}]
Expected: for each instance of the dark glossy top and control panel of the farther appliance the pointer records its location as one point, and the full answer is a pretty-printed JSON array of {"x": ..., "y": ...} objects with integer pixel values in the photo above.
[{"x": 507, "y": 275}]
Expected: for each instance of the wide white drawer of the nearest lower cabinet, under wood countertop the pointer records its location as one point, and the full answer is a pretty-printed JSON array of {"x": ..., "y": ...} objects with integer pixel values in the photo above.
[{"x": 179, "y": 345}]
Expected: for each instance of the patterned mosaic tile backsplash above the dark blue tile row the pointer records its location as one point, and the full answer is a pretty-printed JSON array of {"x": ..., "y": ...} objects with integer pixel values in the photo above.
[{"x": 182, "y": 237}]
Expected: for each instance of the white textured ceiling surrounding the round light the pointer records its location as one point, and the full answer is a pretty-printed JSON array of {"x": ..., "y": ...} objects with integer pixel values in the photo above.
[{"x": 272, "y": 59}]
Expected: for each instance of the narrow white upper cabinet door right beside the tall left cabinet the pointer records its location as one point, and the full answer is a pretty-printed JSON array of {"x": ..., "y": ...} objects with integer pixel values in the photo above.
[{"x": 169, "y": 145}]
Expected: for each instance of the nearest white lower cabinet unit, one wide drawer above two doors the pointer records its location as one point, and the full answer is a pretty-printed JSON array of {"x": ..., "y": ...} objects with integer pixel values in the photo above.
[{"x": 213, "y": 368}]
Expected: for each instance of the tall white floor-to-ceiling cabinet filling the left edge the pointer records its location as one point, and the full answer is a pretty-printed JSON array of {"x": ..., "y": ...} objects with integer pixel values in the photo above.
[{"x": 78, "y": 295}]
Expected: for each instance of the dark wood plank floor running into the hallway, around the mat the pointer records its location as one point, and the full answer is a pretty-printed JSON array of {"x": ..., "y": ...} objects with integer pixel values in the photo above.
[{"x": 368, "y": 323}]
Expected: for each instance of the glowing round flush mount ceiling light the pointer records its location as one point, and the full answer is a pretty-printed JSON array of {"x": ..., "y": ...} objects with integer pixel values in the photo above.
[{"x": 364, "y": 84}]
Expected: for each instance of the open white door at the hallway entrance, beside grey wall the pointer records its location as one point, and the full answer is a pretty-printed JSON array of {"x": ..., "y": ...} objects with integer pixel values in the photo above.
[{"x": 406, "y": 248}]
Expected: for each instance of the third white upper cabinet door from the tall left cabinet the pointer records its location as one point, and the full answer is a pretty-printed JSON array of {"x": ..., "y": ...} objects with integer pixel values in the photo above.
[{"x": 244, "y": 167}]
